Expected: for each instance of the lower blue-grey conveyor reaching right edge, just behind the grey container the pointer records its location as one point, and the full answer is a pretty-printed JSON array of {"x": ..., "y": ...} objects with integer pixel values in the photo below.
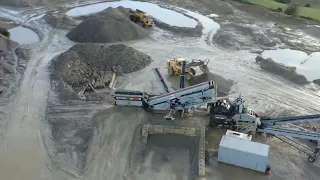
[{"x": 292, "y": 133}]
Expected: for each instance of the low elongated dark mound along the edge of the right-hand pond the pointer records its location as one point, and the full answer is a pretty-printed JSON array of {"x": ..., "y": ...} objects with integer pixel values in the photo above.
[{"x": 281, "y": 70}]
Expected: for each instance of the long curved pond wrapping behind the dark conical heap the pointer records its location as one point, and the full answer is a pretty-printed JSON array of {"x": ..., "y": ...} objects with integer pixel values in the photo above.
[{"x": 165, "y": 15}]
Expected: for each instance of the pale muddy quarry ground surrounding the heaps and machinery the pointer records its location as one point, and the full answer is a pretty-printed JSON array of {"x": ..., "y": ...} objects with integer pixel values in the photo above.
[{"x": 43, "y": 137}]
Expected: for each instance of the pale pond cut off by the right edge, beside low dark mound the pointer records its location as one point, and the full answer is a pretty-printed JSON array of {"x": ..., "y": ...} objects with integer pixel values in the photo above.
[{"x": 309, "y": 66}]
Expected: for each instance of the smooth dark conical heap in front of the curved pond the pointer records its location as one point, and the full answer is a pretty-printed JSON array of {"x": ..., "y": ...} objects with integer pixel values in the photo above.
[{"x": 110, "y": 25}]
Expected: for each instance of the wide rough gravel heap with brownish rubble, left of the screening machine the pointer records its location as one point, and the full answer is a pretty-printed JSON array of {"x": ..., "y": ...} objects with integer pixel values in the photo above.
[{"x": 80, "y": 63}]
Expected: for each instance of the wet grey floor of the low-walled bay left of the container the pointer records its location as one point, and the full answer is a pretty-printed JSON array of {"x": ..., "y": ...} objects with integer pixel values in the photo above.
[{"x": 170, "y": 156}]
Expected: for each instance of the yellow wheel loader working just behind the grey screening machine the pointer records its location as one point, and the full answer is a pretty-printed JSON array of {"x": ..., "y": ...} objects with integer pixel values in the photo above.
[{"x": 174, "y": 67}]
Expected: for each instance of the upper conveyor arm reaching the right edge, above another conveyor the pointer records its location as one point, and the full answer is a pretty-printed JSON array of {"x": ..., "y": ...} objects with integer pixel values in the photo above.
[{"x": 286, "y": 120}]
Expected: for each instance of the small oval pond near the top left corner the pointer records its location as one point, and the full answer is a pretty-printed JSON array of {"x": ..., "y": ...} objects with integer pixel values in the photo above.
[{"x": 23, "y": 35}]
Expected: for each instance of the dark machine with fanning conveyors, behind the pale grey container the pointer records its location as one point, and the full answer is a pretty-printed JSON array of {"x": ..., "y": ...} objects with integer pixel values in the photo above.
[{"x": 233, "y": 114}]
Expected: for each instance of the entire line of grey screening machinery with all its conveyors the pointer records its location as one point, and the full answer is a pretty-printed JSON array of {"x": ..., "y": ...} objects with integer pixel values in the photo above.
[{"x": 230, "y": 112}]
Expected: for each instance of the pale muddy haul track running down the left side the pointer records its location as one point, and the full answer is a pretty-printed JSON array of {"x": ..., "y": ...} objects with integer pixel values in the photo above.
[{"x": 22, "y": 141}]
